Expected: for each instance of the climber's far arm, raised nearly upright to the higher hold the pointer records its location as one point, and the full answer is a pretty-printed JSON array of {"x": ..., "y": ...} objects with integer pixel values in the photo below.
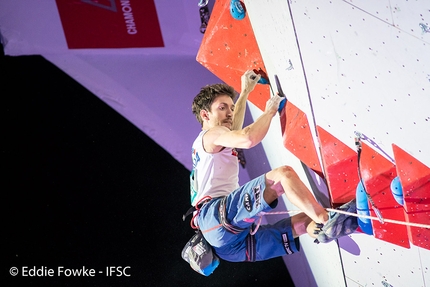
[{"x": 249, "y": 80}]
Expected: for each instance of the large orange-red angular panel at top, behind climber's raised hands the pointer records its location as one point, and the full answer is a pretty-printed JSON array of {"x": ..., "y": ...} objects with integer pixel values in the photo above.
[{"x": 229, "y": 48}]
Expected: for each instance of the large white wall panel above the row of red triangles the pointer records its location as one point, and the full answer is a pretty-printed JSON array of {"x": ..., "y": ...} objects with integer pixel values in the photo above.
[{"x": 366, "y": 75}]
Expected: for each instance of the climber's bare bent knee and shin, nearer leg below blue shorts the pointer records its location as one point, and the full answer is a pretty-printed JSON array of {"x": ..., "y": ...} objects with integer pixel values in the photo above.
[{"x": 285, "y": 180}]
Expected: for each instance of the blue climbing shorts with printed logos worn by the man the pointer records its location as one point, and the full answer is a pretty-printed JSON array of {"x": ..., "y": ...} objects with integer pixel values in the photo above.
[{"x": 242, "y": 208}]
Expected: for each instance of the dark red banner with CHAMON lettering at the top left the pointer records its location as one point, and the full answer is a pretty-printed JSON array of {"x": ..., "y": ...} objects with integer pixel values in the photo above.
[{"x": 110, "y": 23}]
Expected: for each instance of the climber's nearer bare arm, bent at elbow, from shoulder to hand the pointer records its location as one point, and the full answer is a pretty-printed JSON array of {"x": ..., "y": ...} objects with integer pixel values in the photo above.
[{"x": 218, "y": 137}]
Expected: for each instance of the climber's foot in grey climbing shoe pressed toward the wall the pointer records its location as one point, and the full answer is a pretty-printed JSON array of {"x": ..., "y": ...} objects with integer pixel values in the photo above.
[{"x": 339, "y": 224}]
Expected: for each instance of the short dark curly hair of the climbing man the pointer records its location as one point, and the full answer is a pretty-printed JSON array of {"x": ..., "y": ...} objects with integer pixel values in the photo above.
[{"x": 207, "y": 96}]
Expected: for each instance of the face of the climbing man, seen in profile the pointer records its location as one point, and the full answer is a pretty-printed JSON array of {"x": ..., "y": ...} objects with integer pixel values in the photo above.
[{"x": 221, "y": 113}]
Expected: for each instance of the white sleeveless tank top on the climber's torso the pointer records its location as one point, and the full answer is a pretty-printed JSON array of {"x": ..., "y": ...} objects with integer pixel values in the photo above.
[{"x": 213, "y": 174}]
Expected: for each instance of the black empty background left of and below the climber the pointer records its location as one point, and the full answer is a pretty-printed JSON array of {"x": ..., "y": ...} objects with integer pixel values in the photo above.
[{"x": 83, "y": 186}]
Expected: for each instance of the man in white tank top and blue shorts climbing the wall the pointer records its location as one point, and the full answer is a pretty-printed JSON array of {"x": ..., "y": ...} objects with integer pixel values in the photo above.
[{"x": 227, "y": 212}]
